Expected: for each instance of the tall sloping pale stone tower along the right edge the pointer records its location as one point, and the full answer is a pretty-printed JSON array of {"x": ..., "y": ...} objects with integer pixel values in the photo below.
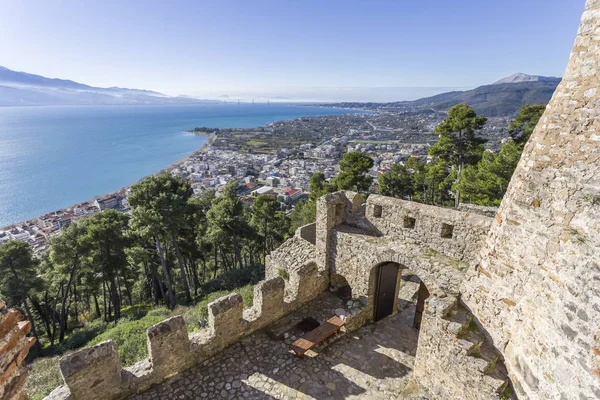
[{"x": 537, "y": 288}]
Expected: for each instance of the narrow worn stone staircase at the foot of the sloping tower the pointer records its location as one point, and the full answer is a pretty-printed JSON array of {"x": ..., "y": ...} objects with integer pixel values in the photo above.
[{"x": 481, "y": 357}]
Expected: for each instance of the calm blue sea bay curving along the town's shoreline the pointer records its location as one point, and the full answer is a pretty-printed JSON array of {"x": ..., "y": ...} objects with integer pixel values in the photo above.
[{"x": 54, "y": 157}]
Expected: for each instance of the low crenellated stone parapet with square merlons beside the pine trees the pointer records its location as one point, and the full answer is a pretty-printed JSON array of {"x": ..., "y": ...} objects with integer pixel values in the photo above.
[{"x": 96, "y": 372}]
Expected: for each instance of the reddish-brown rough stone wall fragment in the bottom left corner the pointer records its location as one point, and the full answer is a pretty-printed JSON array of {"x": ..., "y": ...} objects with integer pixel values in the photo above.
[{"x": 14, "y": 347}]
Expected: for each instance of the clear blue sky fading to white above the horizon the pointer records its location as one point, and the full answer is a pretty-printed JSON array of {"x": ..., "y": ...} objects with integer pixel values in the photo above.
[{"x": 283, "y": 46}]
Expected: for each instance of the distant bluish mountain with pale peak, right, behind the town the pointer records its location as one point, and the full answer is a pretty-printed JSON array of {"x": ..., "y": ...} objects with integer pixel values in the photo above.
[{"x": 497, "y": 100}]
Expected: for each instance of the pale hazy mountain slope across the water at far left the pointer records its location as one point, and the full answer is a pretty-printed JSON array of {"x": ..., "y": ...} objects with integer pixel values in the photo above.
[{"x": 23, "y": 89}]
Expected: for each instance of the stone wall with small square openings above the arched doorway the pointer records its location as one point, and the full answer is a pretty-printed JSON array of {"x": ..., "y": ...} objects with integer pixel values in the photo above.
[{"x": 437, "y": 246}]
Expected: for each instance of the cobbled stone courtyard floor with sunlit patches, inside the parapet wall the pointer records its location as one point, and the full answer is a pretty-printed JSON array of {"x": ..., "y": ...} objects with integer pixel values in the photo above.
[{"x": 373, "y": 362}]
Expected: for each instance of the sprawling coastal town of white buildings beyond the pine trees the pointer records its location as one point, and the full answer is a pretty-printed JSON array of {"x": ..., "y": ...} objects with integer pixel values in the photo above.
[{"x": 277, "y": 159}]
